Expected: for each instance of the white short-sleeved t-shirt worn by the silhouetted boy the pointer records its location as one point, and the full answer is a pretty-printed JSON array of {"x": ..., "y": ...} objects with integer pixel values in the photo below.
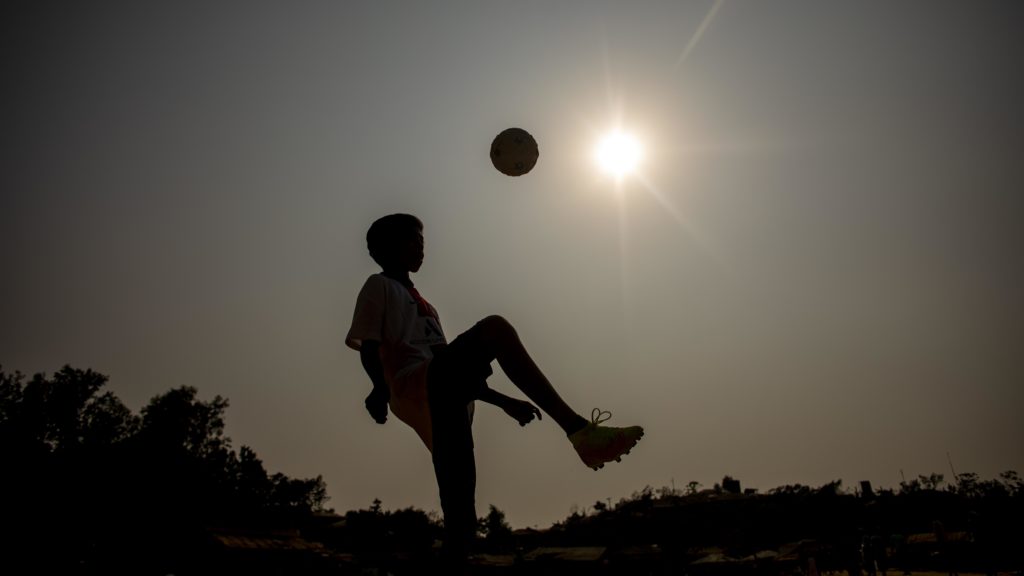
[{"x": 388, "y": 313}]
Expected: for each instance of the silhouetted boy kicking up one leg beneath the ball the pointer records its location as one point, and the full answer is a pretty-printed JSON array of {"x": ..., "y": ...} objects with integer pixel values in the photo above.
[{"x": 431, "y": 384}]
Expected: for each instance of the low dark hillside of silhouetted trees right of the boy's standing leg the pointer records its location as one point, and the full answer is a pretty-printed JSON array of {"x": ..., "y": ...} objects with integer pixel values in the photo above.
[{"x": 983, "y": 517}]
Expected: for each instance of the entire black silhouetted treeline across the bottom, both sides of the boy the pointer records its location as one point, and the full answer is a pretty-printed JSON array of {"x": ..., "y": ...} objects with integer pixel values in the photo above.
[{"x": 89, "y": 486}]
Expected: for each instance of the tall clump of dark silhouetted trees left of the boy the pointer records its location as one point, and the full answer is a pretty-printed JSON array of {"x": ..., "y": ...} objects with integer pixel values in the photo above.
[{"x": 86, "y": 479}]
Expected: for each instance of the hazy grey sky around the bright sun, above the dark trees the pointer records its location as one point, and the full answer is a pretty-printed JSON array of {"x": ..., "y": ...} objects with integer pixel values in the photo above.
[{"x": 815, "y": 274}]
